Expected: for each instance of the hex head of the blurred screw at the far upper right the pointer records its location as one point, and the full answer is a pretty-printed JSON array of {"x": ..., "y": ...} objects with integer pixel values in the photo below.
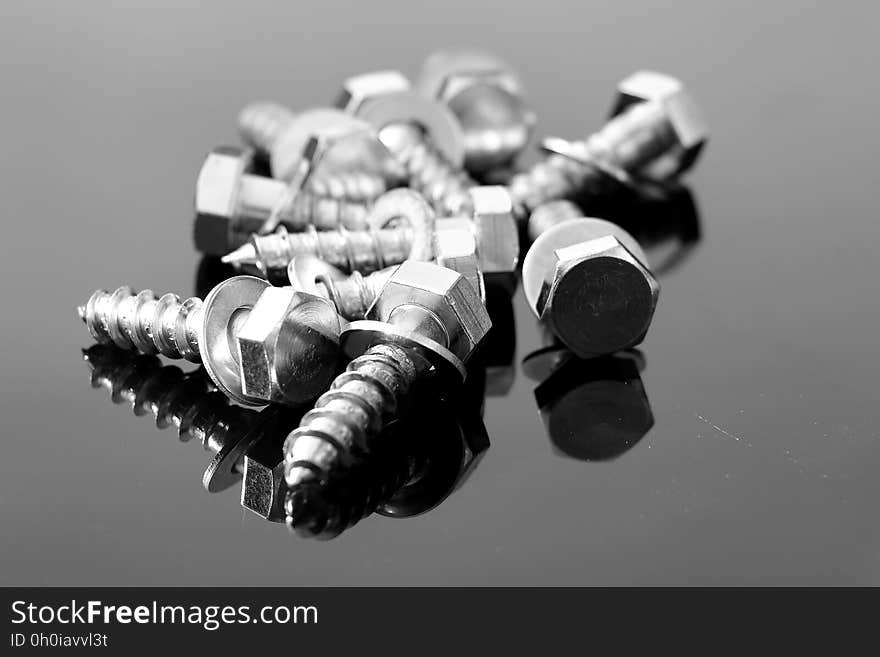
[{"x": 682, "y": 112}]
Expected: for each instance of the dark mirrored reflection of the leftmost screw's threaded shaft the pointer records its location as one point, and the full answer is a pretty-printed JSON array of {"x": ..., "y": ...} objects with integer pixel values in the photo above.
[{"x": 187, "y": 401}]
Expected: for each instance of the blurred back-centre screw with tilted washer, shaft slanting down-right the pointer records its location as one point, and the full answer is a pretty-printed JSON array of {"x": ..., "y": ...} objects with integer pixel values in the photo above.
[{"x": 421, "y": 134}]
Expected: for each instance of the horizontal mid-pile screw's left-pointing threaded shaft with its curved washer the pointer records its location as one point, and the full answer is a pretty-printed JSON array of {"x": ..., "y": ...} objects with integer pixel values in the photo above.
[{"x": 363, "y": 250}]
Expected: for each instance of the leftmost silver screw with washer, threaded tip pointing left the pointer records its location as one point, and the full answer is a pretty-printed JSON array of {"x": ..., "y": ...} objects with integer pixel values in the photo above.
[{"x": 294, "y": 336}]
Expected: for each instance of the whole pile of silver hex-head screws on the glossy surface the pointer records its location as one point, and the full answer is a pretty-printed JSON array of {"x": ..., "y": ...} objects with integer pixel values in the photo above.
[{"x": 365, "y": 232}]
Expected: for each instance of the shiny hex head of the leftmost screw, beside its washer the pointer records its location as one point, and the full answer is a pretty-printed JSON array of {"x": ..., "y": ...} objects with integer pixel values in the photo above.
[{"x": 288, "y": 346}]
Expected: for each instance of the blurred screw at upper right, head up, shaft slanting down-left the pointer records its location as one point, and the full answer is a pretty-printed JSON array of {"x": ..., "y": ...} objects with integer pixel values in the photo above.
[{"x": 655, "y": 134}]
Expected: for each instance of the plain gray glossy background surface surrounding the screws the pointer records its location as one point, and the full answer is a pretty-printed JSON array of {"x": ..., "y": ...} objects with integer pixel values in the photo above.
[{"x": 762, "y": 363}]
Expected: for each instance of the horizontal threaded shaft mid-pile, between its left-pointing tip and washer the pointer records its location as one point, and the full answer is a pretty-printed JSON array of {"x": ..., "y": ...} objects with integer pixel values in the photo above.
[{"x": 356, "y": 250}]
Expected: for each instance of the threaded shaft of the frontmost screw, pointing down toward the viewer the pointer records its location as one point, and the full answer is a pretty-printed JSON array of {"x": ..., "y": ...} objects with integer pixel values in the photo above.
[{"x": 347, "y": 420}]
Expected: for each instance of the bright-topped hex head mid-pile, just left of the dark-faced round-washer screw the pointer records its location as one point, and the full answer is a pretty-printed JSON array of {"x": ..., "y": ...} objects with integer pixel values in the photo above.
[{"x": 495, "y": 229}]
